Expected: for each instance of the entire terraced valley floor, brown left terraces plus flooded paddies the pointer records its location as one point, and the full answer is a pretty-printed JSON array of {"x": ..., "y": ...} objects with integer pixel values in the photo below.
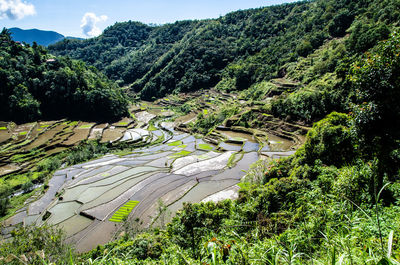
[{"x": 160, "y": 164}]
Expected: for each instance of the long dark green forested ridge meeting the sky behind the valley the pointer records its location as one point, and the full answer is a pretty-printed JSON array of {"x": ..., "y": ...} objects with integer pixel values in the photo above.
[{"x": 239, "y": 49}]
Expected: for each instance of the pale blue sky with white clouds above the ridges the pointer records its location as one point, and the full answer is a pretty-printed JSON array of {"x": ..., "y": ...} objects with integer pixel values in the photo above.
[{"x": 85, "y": 18}]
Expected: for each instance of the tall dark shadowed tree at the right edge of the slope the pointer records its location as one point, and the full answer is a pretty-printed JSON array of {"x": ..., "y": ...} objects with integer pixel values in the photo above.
[{"x": 376, "y": 80}]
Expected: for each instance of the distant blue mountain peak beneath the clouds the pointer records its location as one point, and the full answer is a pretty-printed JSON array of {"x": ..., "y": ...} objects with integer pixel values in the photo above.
[{"x": 41, "y": 37}]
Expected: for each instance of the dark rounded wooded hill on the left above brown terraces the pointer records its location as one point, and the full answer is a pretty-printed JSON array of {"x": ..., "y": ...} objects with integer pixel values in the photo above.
[{"x": 36, "y": 85}]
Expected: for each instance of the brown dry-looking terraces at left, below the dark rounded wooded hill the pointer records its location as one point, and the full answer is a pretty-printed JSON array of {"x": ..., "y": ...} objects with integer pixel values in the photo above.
[{"x": 23, "y": 146}]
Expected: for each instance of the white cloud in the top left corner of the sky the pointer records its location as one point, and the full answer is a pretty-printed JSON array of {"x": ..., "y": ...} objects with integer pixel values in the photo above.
[{"x": 16, "y": 9}]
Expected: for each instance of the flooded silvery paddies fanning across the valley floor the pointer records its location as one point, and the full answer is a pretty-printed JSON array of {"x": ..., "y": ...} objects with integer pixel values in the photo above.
[{"x": 86, "y": 200}]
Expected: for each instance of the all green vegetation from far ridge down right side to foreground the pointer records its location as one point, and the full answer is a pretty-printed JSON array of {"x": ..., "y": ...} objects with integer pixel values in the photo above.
[{"x": 333, "y": 64}]
